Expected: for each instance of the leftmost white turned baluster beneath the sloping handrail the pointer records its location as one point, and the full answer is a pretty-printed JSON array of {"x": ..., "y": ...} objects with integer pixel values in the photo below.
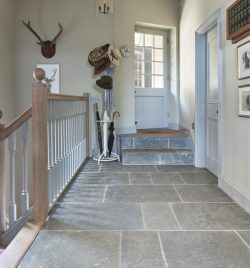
[{"x": 12, "y": 152}]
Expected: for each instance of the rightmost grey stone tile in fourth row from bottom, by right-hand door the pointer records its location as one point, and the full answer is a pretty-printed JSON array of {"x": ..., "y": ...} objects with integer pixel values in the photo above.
[{"x": 199, "y": 178}]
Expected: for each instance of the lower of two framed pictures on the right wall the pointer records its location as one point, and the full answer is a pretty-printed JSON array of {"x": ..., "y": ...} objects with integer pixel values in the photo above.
[{"x": 244, "y": 101}]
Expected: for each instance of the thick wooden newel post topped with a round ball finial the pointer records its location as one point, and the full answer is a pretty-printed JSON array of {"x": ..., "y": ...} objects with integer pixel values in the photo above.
[{"x": 40, "y": 147}]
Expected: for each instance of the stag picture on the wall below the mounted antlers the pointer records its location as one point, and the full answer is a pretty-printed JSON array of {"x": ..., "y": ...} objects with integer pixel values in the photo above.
[{"x": 52, "y": 77}]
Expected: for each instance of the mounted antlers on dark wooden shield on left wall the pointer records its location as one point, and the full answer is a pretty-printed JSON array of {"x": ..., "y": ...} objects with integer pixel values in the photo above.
[{"x": 48, "y": 48}]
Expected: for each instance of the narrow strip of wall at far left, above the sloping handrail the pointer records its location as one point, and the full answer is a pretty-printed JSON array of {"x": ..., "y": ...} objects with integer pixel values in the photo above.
[{"x": 6, "y": 55}]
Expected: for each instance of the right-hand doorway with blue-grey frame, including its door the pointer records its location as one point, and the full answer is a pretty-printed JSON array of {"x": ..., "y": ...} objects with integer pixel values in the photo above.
[{"x": 208, "y": 95}]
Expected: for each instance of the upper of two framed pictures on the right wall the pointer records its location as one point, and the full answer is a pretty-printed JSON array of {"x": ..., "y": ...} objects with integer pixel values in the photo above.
[{"x": 244, "y": 60}]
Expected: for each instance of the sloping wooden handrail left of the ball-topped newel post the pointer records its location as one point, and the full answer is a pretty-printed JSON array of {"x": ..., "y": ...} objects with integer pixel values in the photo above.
[{"x": 4, "y": 133}]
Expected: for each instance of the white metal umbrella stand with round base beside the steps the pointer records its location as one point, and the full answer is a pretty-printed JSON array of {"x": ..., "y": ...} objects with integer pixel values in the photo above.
[{"x": 105, "y": 157}]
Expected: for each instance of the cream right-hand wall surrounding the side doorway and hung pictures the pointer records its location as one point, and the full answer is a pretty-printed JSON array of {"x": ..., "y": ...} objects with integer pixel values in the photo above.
[{"x": 235, "y": 173}]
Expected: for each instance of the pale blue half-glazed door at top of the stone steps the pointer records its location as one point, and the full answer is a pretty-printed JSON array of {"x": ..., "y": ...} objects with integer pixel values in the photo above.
[{"x": 151, "y": 78}]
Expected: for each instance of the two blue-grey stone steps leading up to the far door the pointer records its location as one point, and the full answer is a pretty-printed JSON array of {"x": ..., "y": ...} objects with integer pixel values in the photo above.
[{"x": 156, "y": 149}]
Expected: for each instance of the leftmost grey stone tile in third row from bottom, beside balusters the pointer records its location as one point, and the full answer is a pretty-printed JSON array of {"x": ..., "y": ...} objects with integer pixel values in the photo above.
[{"x": 77, "y": 193}]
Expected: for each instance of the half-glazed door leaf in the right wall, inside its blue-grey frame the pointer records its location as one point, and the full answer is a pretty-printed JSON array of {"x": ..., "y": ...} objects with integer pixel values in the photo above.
[{"x": 212, "y": 103}]
